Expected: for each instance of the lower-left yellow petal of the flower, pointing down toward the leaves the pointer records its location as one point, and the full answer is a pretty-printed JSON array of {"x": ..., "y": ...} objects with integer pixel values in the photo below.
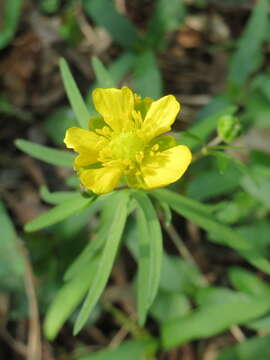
[{"x": 102, "y": 180}]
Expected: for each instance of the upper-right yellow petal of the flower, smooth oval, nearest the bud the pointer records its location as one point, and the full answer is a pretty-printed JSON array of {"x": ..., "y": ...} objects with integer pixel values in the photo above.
[{"x": 160, "y": 116}]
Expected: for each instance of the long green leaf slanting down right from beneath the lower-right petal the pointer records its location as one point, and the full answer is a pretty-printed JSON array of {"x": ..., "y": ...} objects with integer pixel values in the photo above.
[{"x": 199, "y": 214}]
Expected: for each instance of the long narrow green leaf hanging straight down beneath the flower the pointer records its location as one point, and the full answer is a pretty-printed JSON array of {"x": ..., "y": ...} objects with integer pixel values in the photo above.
[{"x": 150, "y": 253}]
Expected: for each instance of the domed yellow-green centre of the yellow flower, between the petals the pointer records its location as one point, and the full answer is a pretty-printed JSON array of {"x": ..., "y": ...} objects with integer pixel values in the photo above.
[{"x": 125, "y": 146}]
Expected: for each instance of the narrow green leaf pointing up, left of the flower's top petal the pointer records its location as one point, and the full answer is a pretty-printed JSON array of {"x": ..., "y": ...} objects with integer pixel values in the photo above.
[{"x": 74, "y": 96}]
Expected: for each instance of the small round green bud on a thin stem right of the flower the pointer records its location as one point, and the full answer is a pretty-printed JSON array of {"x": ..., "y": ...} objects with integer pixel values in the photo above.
[{"x": 228, "y": 128}]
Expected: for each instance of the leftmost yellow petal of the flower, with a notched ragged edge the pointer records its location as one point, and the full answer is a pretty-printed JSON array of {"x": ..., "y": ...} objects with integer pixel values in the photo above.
[{"x": 85, "y": 142}]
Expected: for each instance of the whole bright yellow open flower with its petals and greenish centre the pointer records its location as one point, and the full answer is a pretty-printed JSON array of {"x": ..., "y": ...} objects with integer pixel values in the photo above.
[{"x": 123, "y": 145}]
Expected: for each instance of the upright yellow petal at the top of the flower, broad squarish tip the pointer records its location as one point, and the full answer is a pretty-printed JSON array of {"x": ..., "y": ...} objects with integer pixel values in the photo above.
[{"x": 116, "y": 106}]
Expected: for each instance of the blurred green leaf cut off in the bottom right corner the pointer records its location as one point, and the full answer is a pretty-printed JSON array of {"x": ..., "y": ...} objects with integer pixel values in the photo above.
[{"x": 254, "y": 348}]
